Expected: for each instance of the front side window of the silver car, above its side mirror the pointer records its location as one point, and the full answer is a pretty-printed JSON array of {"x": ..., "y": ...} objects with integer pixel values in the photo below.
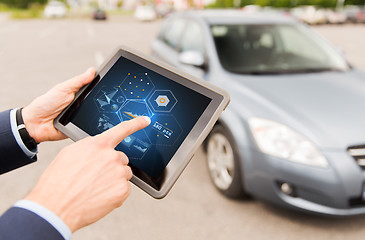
[{"x": 193, "y": 38}]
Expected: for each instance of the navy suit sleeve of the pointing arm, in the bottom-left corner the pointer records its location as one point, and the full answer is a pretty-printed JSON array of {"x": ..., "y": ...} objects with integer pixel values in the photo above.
[{"x": 21, "y": 224}]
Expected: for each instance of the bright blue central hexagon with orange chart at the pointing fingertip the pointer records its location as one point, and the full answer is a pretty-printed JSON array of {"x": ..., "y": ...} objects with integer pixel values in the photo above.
[{"x": 133, "y": 109}]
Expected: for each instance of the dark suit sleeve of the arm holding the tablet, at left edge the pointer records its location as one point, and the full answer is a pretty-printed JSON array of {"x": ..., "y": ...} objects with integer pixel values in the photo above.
[{"x": 11, "y": 155}]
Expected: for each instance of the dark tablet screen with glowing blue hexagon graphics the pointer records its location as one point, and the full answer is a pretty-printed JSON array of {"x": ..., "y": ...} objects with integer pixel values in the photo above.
[{"x": 129, "y": 90}]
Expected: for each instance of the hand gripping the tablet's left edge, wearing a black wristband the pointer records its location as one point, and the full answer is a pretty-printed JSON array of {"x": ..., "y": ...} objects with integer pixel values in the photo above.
[{"x": 39, "y": 115}]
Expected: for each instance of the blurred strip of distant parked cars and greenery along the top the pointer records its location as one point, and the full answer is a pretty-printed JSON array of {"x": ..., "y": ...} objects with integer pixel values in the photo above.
[{"x": 309, "y": 11}]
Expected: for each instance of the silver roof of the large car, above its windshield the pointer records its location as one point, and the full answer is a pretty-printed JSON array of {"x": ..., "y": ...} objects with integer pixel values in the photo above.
[{"x": 213, "y": 17}]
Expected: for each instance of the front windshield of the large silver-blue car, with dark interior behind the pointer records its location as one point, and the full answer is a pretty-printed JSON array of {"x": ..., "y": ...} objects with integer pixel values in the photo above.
[{"x": 274, "y": 49}]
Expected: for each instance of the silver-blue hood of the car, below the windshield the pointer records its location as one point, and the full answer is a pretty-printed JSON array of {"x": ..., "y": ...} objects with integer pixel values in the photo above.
[{"x": 328, "y": 108}]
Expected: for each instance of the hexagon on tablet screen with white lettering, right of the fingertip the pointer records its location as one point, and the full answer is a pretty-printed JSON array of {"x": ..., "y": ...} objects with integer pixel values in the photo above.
[{"x": 165, "y": 130}]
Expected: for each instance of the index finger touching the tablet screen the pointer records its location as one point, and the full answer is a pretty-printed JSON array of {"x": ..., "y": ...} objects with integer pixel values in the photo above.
[{"x": 116, "y": 134}]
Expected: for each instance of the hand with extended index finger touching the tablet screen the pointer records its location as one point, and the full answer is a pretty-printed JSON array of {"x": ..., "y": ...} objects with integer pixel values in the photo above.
[{"x": 88, "y": 179}]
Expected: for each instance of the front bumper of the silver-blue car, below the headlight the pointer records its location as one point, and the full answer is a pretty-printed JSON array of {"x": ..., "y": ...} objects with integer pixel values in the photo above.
[{"x": 335, "y": 191}]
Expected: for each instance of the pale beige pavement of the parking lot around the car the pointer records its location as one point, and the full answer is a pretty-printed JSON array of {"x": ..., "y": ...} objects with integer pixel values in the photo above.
[{"x": 37, "y": 54}]
